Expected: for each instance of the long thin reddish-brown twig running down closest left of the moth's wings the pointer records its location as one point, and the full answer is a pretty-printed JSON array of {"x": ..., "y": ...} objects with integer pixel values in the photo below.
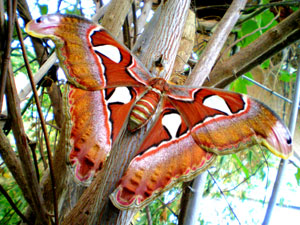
[{"x": 38, "y": 105}]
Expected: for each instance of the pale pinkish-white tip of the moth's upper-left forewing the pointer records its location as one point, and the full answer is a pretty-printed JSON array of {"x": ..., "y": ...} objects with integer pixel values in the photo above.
[{"x": 44, "y": 27}]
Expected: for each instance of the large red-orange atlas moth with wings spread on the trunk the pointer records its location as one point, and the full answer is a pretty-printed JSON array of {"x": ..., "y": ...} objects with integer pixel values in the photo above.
[{"x": 110, "y": 87}]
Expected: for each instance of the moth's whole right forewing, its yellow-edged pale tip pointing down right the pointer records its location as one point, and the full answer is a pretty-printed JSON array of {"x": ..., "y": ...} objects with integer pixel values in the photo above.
[{"x": 225, "y": 122}]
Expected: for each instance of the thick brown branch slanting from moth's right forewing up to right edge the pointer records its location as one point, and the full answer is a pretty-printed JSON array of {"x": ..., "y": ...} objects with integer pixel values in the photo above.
[{"x": 255, "y": 53}]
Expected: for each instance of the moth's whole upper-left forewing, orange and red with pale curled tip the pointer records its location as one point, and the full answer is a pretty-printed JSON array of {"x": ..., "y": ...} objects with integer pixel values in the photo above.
[{"x": 91, "y": 58}]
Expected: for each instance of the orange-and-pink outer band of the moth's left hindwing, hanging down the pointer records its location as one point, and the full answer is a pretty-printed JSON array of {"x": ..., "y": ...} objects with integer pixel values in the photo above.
[{"x": 90, "y": 132}]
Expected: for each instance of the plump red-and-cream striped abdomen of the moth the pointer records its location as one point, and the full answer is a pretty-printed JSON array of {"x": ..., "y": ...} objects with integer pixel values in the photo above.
[{"x": 143, "y": 109}]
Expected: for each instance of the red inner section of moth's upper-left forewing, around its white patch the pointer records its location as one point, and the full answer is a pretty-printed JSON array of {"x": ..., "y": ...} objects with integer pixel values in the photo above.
[{"x": 119, "y": 66}]
